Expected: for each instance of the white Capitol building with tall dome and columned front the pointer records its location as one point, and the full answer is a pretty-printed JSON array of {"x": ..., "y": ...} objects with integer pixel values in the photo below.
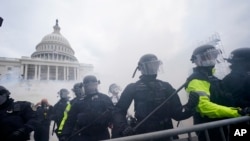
[{"x": 53, "y": 60}]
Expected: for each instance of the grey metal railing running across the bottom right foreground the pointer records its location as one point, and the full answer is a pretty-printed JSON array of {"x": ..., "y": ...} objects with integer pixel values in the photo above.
[{"x": 184, "y": 130}]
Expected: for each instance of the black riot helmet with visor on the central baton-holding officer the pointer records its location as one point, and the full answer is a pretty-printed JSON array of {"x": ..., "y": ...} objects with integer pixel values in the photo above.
[{"x": 148, "y": 65}]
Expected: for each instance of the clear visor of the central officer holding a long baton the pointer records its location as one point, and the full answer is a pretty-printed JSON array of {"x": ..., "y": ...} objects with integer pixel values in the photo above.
[{"x": 151, "y": 67}]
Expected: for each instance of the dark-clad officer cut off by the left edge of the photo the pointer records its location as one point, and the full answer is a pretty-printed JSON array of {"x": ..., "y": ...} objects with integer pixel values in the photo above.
[{"x": 17, "y": 119}]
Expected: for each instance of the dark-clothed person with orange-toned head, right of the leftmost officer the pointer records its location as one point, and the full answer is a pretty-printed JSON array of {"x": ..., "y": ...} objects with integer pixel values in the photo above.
[{"x": 44, "y": 112}]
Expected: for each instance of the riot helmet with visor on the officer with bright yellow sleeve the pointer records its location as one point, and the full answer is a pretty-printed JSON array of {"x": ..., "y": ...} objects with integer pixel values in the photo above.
[{"x": 205, "y": 56}]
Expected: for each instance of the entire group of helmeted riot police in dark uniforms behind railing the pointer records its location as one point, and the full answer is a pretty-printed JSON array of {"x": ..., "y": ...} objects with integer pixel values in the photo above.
[{"x": 93, "y": 115}]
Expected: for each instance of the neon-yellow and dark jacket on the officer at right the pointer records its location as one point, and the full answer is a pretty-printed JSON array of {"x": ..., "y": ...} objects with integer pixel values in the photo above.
[{"x": 200, "y": 83}]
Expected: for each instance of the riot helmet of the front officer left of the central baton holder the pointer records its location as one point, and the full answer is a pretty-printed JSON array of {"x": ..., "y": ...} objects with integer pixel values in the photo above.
[{"x": 90, "y": 84}]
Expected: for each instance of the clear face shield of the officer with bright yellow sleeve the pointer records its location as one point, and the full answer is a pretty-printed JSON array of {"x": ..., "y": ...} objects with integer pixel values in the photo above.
[{"x": 208, "y": 58}]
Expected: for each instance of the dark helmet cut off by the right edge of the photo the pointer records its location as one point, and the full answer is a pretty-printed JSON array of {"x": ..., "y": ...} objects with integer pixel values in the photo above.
[{"x": 240, "y": 59}]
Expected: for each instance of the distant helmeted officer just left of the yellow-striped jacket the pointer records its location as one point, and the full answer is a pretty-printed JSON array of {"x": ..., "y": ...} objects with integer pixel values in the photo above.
[{"x": 58, "y": 109}]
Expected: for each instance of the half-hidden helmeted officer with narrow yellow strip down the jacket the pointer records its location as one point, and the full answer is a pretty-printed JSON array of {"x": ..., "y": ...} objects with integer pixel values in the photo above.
[{"x": 79, "y": 93}]
